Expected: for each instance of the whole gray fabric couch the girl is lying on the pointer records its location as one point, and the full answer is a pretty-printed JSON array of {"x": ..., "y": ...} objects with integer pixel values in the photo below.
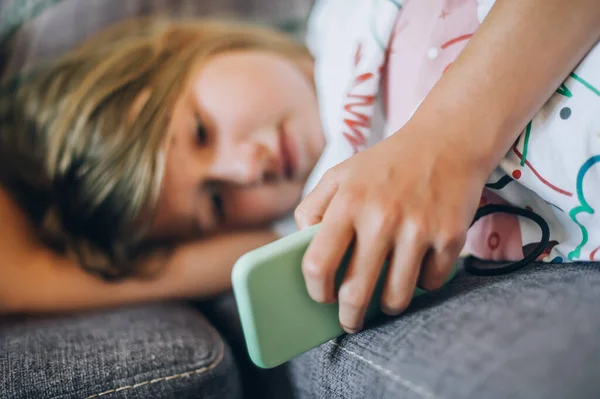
[{"x": 531, "y": 334}]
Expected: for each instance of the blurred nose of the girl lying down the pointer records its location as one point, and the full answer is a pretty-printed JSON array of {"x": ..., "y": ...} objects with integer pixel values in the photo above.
[{"x": 249, "y": 164}]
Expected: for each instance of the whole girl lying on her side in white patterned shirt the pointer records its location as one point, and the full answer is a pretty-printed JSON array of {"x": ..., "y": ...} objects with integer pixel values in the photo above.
[{"x": 161, "y": 130}]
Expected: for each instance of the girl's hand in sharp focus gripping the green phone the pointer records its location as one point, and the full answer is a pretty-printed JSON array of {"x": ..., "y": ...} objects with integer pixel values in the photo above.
[{"x": 412, "y": 195}]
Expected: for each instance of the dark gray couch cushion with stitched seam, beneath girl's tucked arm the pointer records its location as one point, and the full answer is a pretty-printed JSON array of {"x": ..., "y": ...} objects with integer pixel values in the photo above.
[{"x": 154, "y": 351}]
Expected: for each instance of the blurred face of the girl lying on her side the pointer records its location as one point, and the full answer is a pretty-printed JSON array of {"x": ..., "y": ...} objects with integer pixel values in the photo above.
[{"x": 243, "y": 138}]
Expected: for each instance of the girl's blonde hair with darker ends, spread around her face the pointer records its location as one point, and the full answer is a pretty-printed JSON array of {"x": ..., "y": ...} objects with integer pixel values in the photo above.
[{"x": 68, "y": 137}]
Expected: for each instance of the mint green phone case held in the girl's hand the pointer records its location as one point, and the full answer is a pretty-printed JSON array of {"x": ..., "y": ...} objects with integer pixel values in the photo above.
[{"x": 279, "y": 319}]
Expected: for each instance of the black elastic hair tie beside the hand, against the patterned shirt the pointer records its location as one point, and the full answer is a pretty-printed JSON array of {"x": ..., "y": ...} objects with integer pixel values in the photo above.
[{"x": 470, "y": 267}]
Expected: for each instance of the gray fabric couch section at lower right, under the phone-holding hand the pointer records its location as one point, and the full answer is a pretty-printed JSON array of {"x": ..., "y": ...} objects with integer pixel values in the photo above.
[{"x": 531, "y": 334}]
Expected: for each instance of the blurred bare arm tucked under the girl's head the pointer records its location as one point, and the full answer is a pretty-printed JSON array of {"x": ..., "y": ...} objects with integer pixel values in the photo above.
[{"x": 52, "y": 283}]
